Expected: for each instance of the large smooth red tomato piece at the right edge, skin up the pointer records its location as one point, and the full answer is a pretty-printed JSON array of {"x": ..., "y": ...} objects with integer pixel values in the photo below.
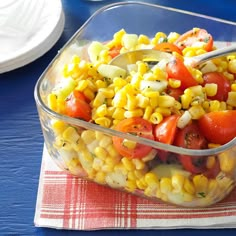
[{"x": 219, "y": 126}]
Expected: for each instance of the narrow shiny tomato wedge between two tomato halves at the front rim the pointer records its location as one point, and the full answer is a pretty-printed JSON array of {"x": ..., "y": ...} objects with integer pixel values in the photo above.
[{"x": 165, "y": 131}]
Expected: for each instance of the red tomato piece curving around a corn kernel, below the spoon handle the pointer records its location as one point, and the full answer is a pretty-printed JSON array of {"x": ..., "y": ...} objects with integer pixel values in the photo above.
[{"x": 223, "y": 85}]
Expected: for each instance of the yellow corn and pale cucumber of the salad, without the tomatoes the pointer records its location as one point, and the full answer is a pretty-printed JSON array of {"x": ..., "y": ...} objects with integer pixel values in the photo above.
[{"x": 114, "y": 95}]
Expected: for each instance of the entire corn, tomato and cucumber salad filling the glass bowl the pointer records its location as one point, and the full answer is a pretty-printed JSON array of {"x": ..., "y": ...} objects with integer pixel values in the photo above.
[{"x": 115, "y": 126}]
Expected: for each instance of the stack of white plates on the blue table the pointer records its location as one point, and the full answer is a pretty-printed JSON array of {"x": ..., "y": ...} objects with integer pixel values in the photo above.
[{"x": 28, "y": 29}]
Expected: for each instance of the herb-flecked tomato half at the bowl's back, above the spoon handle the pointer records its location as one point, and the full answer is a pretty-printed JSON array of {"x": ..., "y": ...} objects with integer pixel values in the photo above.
[{"x": 194, "y": 37}]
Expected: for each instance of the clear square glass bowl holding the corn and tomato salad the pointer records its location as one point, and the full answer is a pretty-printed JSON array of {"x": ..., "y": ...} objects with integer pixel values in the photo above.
[{"x": 86, "y": 149}]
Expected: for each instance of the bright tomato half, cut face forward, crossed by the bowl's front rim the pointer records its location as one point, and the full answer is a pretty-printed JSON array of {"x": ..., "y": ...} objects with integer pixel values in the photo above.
[{"x": 136, "y": 126}]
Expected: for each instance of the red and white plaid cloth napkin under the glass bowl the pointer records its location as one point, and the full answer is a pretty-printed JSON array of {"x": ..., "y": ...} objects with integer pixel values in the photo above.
[{"x": 66, "y": 202}]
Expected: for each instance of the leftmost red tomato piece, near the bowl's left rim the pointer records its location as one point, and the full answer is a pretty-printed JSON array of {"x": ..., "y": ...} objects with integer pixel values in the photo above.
[{"x": 77, "y": 106}]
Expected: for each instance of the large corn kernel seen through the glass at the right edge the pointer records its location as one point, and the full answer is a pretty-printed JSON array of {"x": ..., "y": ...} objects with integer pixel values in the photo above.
[{"x": 227, "y": 161}]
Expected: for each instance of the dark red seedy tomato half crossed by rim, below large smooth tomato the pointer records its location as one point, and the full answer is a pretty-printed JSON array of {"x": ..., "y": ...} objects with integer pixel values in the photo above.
[{"x": 190, "y": 137}]
